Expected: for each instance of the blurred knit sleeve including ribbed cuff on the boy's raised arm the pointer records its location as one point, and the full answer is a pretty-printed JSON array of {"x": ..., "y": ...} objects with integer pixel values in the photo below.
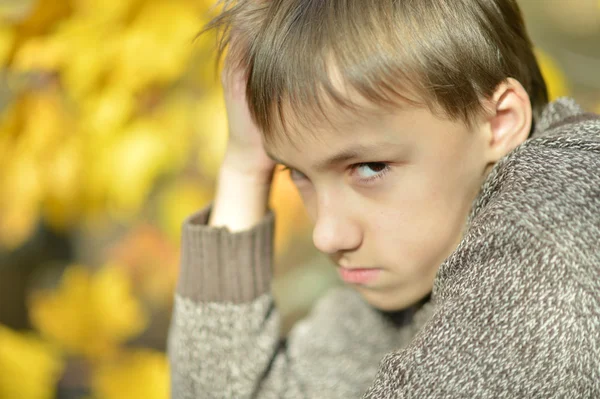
[{"x": 224, "y": 340}]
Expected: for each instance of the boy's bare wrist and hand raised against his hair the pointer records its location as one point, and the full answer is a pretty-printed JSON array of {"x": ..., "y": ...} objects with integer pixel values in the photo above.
[{"x": 245, "y": 177}]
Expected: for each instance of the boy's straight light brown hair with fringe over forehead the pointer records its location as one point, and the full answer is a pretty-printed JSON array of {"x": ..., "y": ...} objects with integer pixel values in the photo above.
[{"x": 451, "y": 54}]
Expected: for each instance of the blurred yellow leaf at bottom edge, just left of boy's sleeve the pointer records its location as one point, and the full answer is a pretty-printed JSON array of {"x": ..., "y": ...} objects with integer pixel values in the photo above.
[{"x": 139, "y": 374}]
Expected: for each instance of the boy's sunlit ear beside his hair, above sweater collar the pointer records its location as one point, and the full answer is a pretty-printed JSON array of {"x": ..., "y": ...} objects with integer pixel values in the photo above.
[{"x": 510, "y": 119}]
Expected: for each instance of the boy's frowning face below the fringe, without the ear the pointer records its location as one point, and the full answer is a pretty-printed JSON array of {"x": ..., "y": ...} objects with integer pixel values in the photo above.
[{"x": 389, "y": 194}]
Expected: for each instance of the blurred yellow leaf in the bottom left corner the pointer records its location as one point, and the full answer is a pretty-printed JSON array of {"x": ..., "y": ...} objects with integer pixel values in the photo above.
[{"x": 29, "y": 367}]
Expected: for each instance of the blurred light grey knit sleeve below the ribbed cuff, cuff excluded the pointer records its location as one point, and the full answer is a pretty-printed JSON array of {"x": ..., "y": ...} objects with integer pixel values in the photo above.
[{"x": 225, "y": 350}]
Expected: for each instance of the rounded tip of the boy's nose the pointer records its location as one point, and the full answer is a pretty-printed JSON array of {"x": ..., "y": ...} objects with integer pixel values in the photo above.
[{"x": 334, "y": 233}]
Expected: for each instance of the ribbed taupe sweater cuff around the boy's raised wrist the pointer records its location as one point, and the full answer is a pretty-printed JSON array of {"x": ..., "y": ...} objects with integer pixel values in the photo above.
[{"x": 220, "y": 266}]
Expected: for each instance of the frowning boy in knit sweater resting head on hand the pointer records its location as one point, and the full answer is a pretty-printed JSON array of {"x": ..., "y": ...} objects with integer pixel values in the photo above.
[{"x": 461, "y": 209}]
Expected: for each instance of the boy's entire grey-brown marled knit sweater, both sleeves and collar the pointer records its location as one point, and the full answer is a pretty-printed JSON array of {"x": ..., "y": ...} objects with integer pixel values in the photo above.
[{"x": 514, "y": 311}]
